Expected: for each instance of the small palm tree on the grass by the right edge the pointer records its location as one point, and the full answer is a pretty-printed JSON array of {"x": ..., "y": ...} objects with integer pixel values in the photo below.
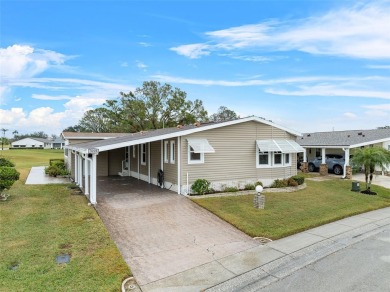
[{"x": 369, "y": 158}]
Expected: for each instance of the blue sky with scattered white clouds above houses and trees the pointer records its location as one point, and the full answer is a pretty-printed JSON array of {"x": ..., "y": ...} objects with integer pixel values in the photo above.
[{"x": 307, "y": 65}]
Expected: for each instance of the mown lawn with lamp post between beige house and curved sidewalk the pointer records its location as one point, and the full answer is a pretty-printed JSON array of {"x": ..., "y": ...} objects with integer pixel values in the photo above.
[{"x": 290, "y": 213}]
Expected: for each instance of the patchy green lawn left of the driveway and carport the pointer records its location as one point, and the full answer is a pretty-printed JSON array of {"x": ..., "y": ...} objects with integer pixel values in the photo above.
[{"x": 39, "y": 222}]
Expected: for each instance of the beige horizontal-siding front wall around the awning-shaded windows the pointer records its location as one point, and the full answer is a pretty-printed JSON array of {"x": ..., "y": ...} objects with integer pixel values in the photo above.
[{"x": 234, "y": 159}]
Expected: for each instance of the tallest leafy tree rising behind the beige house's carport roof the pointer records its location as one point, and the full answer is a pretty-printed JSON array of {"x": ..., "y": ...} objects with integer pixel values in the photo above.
[{"x": 155, "y": 106}]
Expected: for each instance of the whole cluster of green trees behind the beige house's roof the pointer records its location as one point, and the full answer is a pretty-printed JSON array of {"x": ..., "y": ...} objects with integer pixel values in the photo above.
[{"x": 152, "y": 106}]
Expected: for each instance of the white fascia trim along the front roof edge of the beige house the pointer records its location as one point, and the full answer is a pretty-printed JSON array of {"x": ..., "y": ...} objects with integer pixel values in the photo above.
[{"x": 191, "y": 131}]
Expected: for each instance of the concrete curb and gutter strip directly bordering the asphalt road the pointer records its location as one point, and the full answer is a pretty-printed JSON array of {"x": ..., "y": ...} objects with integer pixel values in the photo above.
[{"x": 282, "y": 267}]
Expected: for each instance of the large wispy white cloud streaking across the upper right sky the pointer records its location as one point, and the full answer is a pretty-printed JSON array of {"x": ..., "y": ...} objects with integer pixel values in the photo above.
[{"x": 361, "y": 31}]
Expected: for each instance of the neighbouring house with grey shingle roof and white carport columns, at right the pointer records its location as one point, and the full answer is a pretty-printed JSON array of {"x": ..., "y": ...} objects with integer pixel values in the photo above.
[{"x": 342, "y": 142}]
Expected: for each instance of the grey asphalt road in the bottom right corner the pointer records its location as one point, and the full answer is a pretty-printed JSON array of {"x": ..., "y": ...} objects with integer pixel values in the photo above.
[{"x": 364, "y": 266}]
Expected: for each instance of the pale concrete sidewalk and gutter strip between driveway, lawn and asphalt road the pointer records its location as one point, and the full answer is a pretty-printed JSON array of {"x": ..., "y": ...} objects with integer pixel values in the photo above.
[{"x": 275, "y": 260}]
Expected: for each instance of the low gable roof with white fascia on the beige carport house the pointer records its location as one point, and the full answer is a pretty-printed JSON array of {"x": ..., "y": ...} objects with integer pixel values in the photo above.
[{"x": 167, "y": 133}]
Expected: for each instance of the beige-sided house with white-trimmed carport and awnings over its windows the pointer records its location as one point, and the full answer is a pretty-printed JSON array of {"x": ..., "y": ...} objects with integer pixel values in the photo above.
[{"x": 232, "y": 153}]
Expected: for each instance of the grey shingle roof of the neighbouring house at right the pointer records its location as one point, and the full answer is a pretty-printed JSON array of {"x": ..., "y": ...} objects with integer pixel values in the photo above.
[{"x": 351, "y": 139}]
